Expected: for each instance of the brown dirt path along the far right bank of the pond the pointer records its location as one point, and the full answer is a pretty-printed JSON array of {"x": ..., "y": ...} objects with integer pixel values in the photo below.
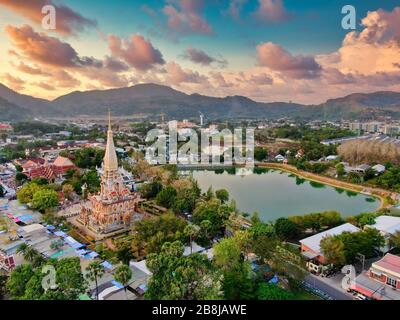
[{"x": 381, "y": 194}]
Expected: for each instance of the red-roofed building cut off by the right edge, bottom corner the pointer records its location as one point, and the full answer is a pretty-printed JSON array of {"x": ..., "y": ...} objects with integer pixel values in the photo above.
[{"x": 382, "y": 281}]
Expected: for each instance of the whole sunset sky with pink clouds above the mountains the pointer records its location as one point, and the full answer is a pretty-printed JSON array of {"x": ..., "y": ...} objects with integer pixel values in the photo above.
[{"x": 267, "y": 50}]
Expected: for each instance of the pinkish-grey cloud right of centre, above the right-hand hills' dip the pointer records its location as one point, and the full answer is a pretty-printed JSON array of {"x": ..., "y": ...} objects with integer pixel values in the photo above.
[{"x": 277, "y": 59}]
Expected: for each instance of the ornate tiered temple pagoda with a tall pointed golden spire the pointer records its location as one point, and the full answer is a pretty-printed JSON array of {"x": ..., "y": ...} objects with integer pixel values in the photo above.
[{"x": 111, "y": 211}]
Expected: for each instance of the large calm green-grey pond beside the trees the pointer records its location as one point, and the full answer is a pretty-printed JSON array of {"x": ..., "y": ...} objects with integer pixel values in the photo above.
[{"x": 274, "y": 194}]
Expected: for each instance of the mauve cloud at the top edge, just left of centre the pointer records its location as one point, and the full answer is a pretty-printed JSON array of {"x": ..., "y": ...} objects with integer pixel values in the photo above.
[{"x": 185, "y": 16}]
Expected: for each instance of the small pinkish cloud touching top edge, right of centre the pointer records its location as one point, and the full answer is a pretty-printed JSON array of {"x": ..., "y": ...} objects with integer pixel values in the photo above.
[{"x": 272, "y": 11}]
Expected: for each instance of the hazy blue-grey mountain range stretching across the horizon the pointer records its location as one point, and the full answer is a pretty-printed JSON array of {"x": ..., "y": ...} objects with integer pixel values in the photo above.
[{"x": 151, "y": 100}]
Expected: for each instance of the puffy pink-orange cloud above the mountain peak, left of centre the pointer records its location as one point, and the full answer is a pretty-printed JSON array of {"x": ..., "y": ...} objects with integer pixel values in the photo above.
[{"x": 137, "y": 52}]
